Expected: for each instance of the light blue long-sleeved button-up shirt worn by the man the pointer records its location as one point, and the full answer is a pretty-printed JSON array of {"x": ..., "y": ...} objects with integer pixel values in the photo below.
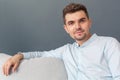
[{"x": 97, "y": 59}]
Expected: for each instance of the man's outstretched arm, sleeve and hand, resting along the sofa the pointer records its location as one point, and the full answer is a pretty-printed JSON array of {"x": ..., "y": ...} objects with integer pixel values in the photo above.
[{"x": 14, "y": 61}]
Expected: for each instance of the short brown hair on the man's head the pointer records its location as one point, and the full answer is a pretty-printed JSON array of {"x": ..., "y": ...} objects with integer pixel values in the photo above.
[{"x": 74, "y": 7}]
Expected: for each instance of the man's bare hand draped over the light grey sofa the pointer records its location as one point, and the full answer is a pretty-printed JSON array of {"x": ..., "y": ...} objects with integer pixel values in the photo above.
[{"x": 12, "y": 63}]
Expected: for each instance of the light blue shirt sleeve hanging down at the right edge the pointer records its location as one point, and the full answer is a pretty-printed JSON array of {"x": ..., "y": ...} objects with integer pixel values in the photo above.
[{"x": 113, "y": 58}]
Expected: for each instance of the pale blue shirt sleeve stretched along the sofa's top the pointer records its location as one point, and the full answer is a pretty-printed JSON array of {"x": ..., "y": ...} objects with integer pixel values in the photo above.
[{"x": 57, "y": 53}]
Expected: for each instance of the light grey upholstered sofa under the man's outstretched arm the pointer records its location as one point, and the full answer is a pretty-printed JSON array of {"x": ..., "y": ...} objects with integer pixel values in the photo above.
[{"x": 35, "y": 69}]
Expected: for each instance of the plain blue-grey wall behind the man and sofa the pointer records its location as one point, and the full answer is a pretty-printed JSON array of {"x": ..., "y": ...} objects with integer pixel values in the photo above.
[{"x": 37, "y": 25}]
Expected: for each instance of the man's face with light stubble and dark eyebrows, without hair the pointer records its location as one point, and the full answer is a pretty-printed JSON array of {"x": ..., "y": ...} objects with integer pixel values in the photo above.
[{"x": 77, "y": 25}]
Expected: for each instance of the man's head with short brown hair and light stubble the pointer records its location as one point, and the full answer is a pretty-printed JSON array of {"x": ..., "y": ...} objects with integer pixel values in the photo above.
[{"x": 77, "y": 22}]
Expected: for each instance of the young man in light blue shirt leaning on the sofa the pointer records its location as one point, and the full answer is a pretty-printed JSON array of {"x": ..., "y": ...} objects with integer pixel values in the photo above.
[{"x": 90, "y": 57}]
